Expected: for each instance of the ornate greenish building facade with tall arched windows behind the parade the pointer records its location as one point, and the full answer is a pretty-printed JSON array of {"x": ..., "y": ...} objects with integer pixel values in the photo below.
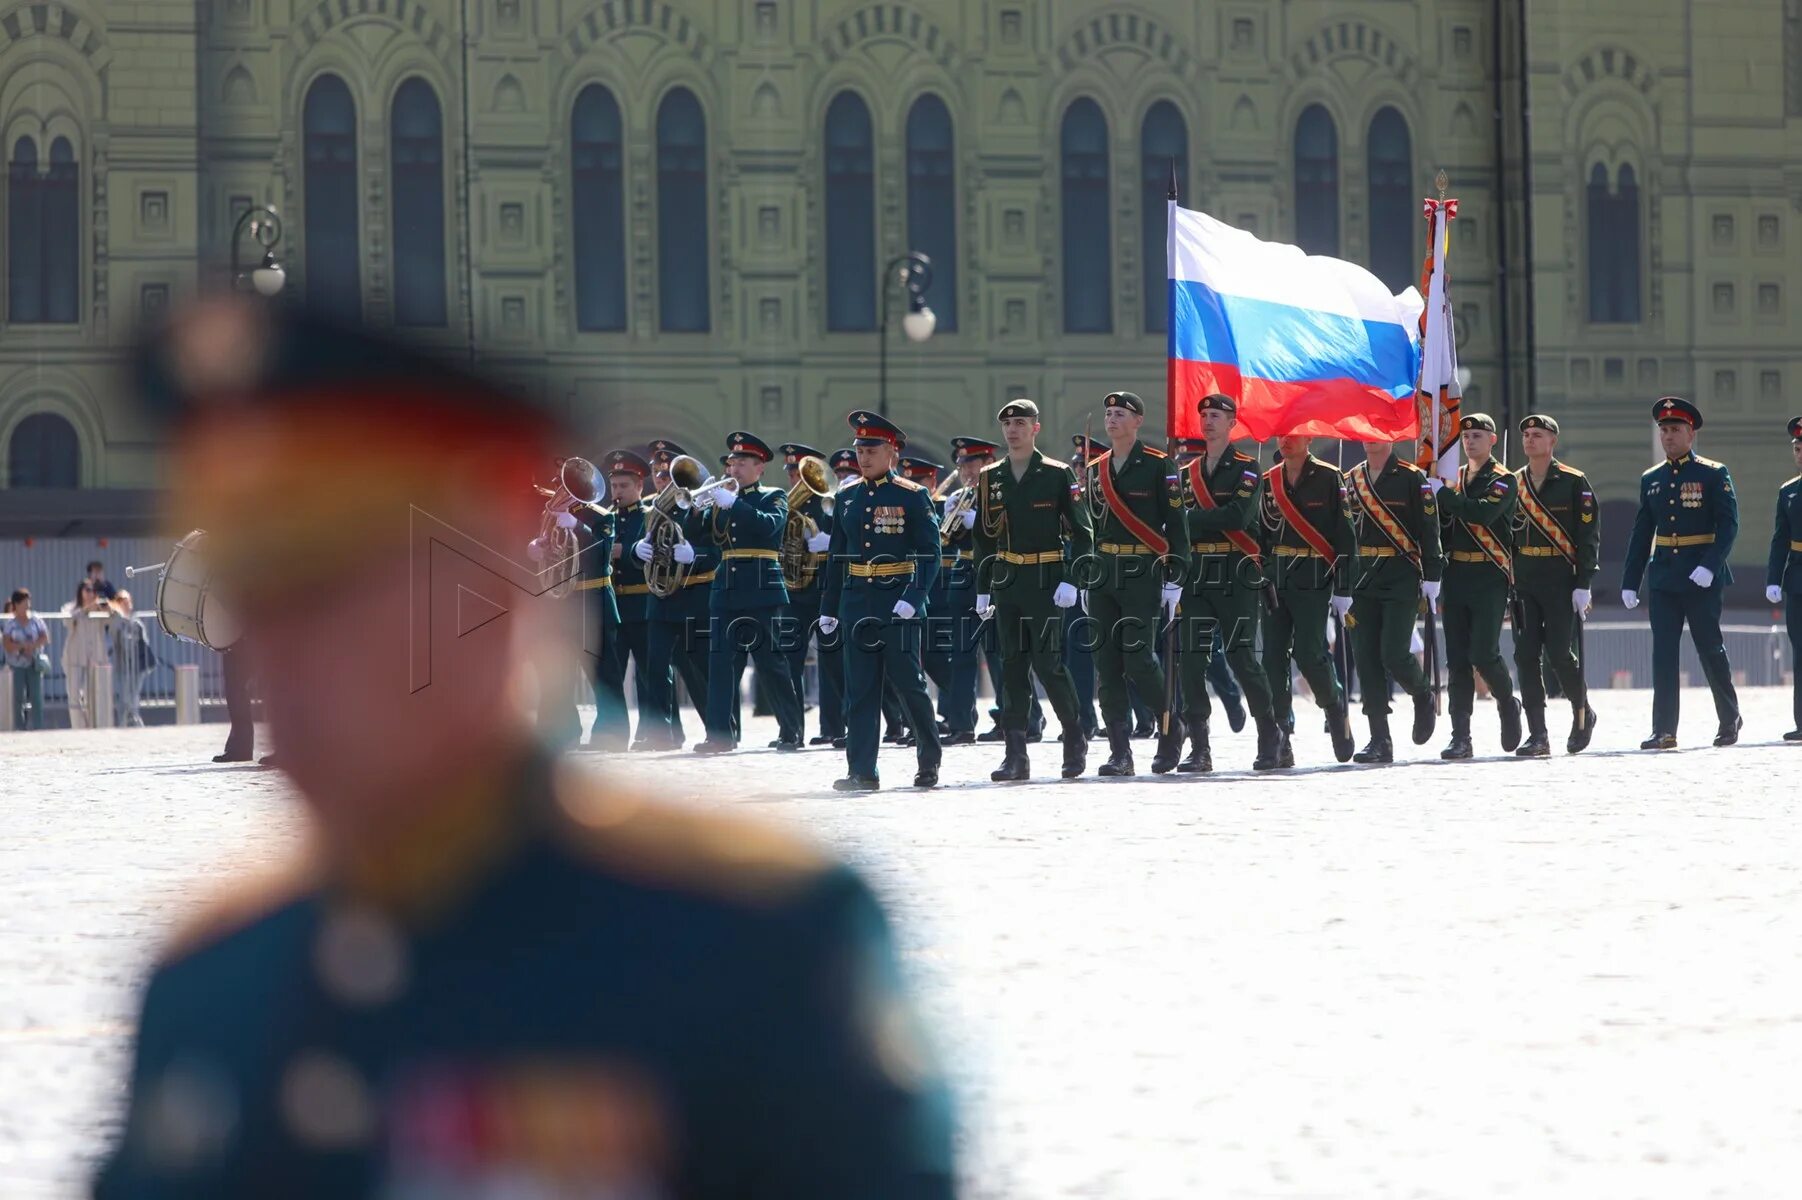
[{"x": 671, "y": 215}]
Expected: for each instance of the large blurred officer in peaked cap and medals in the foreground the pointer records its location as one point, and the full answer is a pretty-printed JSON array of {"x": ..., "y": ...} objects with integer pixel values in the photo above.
[{"x": 489, "y": 974}]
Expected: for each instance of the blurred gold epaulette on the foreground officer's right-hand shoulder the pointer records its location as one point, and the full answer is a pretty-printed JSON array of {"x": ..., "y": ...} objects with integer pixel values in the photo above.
[{"x": 669, "y": 846}]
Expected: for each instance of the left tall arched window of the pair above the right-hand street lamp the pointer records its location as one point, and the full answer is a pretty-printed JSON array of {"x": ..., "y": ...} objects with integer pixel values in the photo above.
[{"x": 850, "y": 215}]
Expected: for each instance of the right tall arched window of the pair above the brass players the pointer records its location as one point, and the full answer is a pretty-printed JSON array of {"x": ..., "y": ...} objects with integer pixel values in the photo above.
[{"x": 682, "y": 215}]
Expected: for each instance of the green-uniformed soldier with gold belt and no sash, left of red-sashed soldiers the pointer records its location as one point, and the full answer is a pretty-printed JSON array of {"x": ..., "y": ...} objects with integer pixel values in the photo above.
[{"x": 1024, "y": 509}]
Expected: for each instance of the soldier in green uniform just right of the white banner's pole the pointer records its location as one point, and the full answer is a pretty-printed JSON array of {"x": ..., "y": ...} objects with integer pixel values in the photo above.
[{"x": 1479, "y": 581}]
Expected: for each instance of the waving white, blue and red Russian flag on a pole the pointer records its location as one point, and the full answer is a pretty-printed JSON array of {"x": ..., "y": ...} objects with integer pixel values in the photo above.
[{"x": 1304, "y": 343}]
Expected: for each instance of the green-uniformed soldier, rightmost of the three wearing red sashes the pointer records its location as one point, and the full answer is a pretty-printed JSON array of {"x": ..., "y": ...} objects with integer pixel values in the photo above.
[{"x": 1307, "y": 541}]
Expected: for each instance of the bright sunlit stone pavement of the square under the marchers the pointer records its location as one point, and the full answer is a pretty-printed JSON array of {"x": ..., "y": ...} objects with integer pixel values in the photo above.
[{"x": 1498, "y": 979}]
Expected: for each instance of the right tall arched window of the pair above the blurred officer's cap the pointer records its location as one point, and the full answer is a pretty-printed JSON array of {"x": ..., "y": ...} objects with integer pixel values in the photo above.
[{"x": 419, "y": 192}]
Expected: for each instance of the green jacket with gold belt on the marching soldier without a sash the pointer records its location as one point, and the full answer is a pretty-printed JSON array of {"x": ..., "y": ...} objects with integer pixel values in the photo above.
[{"x": 1030, "y": 516}]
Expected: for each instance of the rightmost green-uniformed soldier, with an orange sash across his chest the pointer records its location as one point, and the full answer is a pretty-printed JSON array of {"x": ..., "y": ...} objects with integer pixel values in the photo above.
[{"x": 1558, "y": 538}]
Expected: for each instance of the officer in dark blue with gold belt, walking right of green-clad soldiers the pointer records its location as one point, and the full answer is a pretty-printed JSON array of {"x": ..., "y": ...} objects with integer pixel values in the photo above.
[{"x": 1682, "y": 541}]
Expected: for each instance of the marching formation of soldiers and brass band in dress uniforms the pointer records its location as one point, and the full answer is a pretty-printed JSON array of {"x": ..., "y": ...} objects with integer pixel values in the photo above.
[{"x": 1140, "y": 577}]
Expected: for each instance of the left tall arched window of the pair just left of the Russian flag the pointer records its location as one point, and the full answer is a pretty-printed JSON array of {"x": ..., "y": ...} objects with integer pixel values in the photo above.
[{"x": 1088, "y": 257}]
